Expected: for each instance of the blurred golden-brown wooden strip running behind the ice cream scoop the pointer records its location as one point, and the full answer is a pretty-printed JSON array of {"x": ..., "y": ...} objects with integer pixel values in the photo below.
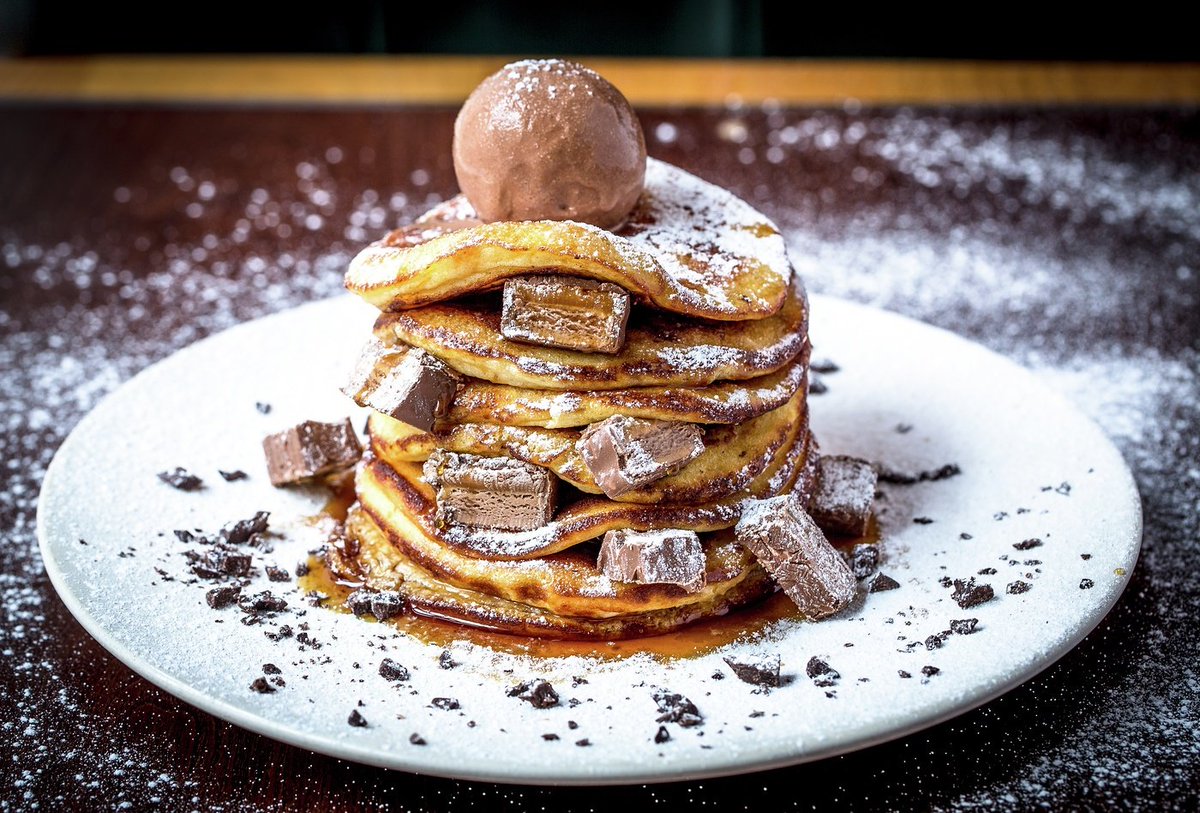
[{"x": 646, "y": 82}]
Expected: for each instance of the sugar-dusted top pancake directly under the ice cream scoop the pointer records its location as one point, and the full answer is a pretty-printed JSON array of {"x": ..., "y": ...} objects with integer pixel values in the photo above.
[{"x": 688, "y": 248}]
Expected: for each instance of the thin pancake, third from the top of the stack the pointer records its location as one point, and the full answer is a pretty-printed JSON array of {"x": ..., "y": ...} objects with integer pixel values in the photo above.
[{"x": 725, "y": 402}]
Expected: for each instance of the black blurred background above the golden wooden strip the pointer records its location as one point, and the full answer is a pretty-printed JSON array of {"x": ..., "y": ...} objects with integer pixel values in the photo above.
[{"x": 685, "y": 28}]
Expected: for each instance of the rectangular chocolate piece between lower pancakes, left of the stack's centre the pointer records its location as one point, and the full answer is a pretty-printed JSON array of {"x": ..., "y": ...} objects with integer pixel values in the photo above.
[{"x": 491, "y": 492}]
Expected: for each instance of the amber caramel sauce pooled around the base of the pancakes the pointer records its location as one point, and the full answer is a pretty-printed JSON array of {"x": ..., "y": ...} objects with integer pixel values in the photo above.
[{"x": 692, "y": 641}]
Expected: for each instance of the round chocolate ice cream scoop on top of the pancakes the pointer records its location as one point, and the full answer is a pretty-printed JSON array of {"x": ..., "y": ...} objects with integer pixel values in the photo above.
[{"x": 548, "y": 140}]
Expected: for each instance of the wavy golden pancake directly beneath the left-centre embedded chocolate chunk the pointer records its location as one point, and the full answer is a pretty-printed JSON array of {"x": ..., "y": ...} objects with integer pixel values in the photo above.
[{"x": 403, "y": 503}]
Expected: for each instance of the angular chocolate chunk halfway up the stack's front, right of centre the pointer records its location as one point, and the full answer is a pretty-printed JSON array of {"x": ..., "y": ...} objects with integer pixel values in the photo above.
[{"x": 626, "y": 453}]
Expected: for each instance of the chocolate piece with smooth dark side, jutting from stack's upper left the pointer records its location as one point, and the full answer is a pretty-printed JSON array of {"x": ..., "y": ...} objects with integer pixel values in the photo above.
[{"x": 406, "y": 383}]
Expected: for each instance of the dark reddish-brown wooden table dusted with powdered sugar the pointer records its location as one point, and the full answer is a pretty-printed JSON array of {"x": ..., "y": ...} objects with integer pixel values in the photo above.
[{"x": 1065, "y": 238}]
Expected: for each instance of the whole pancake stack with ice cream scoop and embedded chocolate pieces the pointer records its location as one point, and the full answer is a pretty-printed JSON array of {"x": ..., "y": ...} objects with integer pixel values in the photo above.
[{"x": 569, "y": 420}]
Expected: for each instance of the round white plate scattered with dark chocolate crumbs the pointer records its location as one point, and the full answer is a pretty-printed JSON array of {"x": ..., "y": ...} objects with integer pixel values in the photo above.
[{"x": 1016, "y": 442}]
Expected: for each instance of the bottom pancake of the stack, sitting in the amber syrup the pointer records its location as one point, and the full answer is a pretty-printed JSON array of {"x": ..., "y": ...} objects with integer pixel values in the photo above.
[{"x": 380, "y": 565}]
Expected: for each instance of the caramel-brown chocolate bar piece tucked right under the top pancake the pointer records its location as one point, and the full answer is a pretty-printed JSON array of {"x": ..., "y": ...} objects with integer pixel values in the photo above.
[{"x": 566, "y": 312}]
